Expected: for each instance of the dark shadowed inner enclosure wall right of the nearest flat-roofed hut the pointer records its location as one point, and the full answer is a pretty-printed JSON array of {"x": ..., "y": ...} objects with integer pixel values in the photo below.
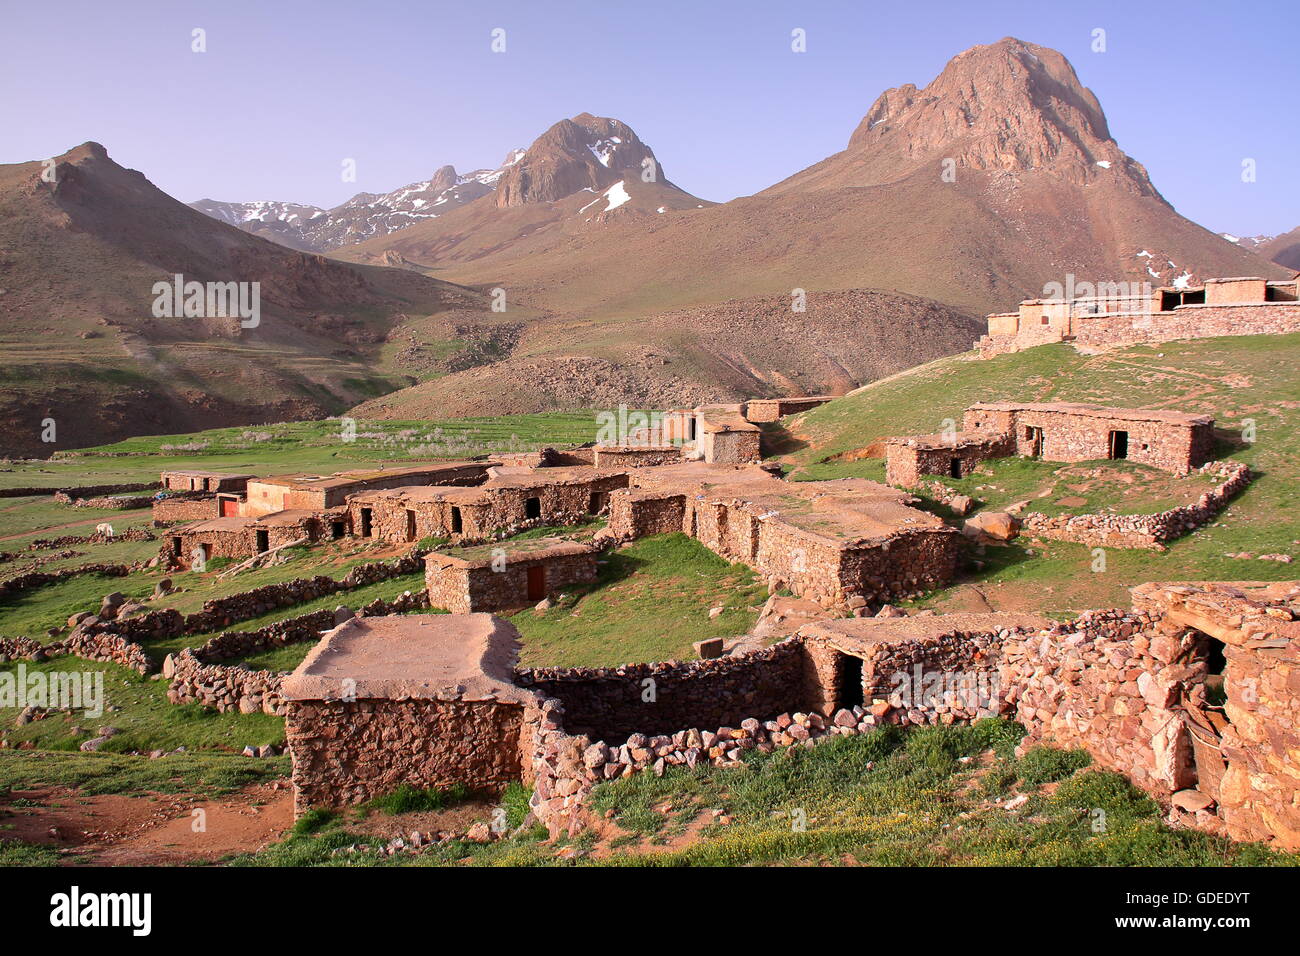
[{"x": 608, "y": 703}]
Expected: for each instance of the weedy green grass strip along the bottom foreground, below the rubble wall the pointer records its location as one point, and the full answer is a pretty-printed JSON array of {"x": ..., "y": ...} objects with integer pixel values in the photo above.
[{"x": 924, "y": 797}]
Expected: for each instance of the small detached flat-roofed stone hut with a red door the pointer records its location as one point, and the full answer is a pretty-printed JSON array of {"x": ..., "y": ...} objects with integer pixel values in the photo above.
[{"x": 506, "y": 577}]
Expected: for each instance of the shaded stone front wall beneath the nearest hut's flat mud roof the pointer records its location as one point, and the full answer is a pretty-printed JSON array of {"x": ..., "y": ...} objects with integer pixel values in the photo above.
[{"x": 350, "y": 752}]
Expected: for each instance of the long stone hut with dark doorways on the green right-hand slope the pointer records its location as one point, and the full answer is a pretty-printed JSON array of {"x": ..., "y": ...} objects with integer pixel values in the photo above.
[{"x": 1073, "y": 432}]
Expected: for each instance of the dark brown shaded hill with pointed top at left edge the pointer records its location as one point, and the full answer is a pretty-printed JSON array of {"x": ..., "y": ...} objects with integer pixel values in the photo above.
[{"x": 80, "y": 257}]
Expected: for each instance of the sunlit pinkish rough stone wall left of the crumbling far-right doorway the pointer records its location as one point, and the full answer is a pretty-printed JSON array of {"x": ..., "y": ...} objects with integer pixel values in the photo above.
[{"x": 1112, "y": 685}]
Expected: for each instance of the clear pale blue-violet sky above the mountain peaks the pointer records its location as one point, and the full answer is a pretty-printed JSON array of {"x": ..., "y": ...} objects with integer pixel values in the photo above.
[{"x": 288, "y": 90}]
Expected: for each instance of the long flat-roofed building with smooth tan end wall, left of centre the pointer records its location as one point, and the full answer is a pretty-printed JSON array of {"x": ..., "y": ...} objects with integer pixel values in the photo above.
[{"x": 322, "y": 492}]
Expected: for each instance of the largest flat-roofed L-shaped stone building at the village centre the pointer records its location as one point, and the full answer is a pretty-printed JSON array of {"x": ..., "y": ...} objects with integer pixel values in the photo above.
[{"x": 844, "y": 544}]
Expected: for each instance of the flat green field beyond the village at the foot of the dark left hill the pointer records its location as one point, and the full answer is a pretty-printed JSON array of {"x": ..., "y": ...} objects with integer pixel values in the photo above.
[{"x": 314, "y": 447}]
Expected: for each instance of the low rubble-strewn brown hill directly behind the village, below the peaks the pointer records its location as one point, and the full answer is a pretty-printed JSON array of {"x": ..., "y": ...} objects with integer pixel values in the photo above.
[{"x": 740, "y": 349}]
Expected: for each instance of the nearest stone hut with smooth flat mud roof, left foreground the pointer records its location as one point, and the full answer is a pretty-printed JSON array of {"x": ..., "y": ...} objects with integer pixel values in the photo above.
[{"x": 424, "y": 700}]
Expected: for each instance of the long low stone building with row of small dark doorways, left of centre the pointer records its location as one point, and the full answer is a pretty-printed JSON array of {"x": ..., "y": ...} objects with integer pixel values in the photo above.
[{"x": 510, "y": 498}]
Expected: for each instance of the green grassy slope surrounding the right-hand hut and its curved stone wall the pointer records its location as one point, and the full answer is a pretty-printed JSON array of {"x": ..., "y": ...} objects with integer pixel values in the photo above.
[{"x": 1238, "y": 380}]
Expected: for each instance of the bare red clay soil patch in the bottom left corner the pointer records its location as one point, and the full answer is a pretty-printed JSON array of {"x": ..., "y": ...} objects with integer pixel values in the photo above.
[{"x": 151, "y": 829}]
